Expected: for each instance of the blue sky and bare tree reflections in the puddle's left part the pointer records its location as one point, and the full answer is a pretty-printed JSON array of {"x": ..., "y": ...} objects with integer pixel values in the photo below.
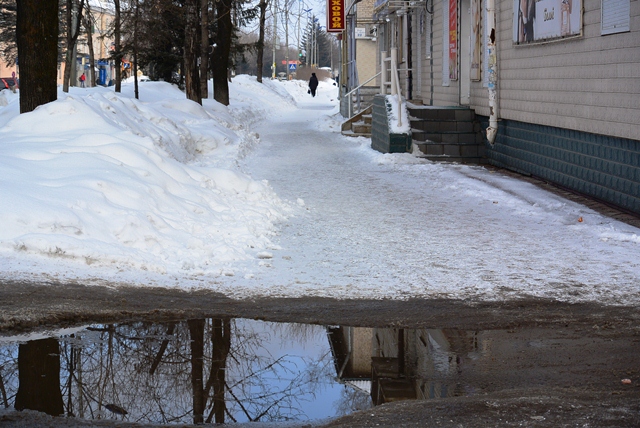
[{"x": 211, "y": 370}]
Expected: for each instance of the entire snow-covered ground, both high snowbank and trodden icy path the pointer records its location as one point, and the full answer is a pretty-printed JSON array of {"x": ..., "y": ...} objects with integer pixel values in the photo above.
[{"x": 266, "y": 198}]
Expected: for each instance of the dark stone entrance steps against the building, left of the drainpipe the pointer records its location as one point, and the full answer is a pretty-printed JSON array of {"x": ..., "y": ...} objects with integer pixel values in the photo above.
[{"x": 447, "y": 134}]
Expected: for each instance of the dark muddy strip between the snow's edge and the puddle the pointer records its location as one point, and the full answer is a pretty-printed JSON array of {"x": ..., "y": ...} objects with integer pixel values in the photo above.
[{"x": 28, "y": 306}]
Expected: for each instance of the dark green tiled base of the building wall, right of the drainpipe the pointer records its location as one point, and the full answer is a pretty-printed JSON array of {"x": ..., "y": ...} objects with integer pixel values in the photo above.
[{"x": 600, "y": 166}]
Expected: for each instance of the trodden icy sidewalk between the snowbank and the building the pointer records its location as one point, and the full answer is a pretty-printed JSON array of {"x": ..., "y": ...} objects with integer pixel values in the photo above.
[{"x": 393, "y": 226}]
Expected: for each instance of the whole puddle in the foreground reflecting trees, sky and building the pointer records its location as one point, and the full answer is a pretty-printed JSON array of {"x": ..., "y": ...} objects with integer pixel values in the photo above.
[{"x": 227, "y": 371}]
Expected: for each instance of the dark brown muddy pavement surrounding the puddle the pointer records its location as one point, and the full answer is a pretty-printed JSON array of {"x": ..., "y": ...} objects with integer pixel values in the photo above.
[{"x": 589, "y": 392}]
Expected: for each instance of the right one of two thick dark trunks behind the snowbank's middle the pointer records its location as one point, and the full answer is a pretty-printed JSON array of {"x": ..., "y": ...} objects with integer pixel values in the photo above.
[{"x": 220, "y": 67}]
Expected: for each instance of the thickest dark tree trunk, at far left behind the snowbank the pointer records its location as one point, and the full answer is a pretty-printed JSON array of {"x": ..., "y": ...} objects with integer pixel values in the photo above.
[{"x": 37, "y": 35}]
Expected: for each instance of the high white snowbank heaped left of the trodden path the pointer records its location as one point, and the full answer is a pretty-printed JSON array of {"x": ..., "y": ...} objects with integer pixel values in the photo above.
[{"x": 101, "y": 179}]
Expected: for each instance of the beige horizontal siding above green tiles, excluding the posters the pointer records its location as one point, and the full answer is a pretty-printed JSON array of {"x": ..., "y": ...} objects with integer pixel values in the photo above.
[{"x": 591, "y": 83}]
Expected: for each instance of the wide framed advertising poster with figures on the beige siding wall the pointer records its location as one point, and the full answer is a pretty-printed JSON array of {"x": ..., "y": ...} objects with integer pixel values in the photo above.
[{"x": 536, "y": 20}]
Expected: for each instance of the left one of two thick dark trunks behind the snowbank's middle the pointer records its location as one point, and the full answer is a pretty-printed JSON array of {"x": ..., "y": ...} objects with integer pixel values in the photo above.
[{"x": 192, "y": 72}]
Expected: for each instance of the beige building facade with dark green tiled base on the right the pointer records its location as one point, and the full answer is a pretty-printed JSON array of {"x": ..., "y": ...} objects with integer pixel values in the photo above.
[{"x": 565, "y": 80}]
